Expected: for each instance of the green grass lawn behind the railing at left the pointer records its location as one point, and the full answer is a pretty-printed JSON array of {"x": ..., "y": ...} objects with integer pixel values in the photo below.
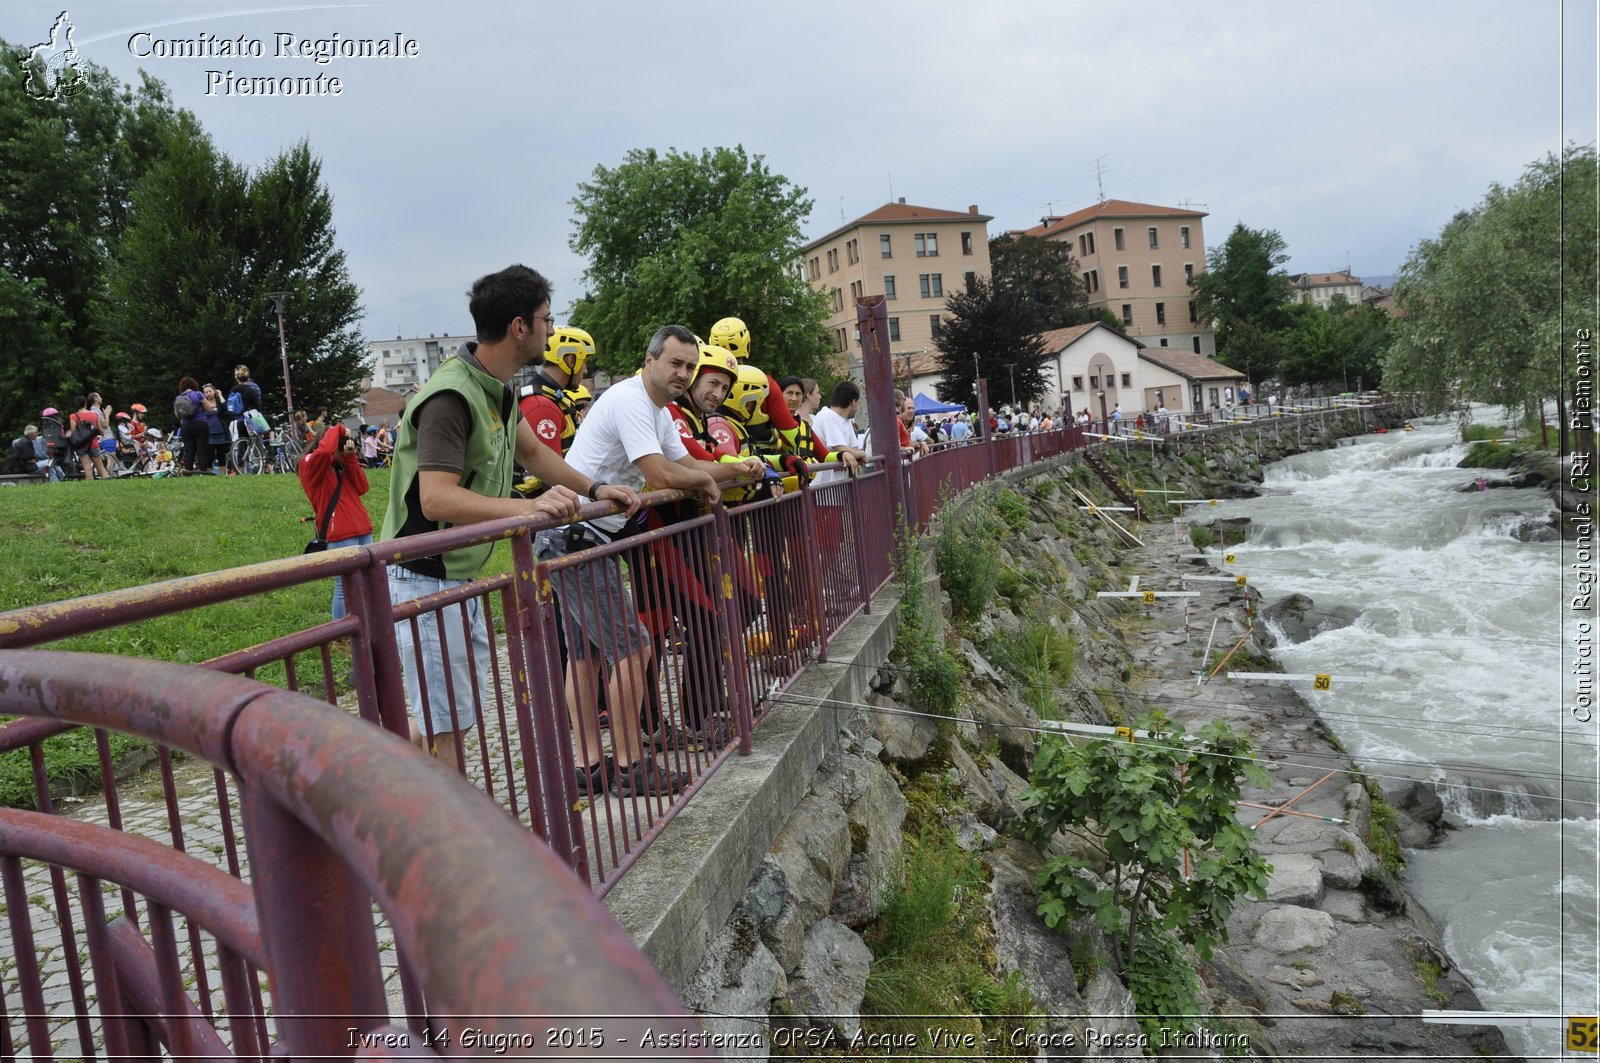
[{"x": 84, "y": 539}]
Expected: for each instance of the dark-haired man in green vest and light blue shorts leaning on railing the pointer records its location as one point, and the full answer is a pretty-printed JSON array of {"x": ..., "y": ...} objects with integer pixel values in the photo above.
[{"x": 454, "y": 463}]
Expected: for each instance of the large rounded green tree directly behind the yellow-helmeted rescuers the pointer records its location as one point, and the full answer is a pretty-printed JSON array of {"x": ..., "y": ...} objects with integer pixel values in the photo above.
[{"x": 692, "y": 239}]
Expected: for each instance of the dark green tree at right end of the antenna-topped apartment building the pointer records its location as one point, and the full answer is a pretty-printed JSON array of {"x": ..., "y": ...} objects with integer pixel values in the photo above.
[{"x": 1246, "y": 292}]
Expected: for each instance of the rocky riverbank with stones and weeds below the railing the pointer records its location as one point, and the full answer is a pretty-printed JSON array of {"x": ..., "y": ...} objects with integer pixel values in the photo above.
[{"x": 1337, "y": 963}]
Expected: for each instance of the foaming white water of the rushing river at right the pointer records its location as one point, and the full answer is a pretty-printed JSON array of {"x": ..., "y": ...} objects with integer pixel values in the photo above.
[{"x": 1460, "y": 632}]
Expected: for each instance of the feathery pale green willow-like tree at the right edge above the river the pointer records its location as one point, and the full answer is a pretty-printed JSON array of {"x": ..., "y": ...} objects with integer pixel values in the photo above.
[{"x": 1484, "y": 305}]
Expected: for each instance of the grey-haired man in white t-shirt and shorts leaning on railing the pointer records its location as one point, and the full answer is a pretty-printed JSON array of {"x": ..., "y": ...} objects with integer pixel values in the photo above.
[{"x": 628, "y": 438}]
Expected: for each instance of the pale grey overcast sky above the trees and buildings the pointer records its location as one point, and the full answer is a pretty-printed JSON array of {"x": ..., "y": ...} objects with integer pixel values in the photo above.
[{"x": 1354, "y": 129}]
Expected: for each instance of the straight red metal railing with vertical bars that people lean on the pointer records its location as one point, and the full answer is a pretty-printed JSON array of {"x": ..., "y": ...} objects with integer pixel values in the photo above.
[{"x": 735, "y": 603}]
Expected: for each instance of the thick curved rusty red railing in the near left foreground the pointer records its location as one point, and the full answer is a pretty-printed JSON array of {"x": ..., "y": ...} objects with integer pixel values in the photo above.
[{"x": 494, "y": 933}]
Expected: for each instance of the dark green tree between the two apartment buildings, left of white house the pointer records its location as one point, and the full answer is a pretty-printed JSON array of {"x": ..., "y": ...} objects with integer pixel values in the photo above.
[{"x": 982, "y": 335}]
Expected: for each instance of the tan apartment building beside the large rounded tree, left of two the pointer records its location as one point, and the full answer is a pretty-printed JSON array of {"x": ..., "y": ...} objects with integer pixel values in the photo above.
[{"x": 914, "y": 257}]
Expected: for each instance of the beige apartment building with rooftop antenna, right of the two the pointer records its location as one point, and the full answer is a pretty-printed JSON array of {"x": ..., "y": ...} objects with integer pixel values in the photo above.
[{"x": 1137, "y": 262}]
